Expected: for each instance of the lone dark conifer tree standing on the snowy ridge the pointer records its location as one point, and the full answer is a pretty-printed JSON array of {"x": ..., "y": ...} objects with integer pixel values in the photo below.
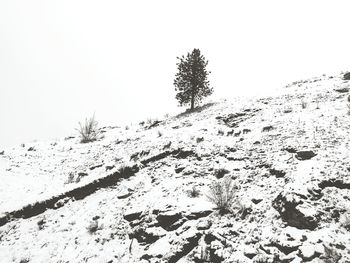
[{"x": 191, "y": 82}]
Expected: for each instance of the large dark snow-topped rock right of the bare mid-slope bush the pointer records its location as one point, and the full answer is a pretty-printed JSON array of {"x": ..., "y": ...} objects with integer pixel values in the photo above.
[{"x": 296, "y": 211}]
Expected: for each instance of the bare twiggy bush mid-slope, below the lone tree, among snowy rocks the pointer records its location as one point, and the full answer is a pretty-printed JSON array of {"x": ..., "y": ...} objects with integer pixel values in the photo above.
[{"x": 222, "y": 193}]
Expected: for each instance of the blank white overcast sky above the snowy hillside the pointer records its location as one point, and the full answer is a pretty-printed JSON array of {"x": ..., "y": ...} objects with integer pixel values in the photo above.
[{"x": 61, "y": 61}]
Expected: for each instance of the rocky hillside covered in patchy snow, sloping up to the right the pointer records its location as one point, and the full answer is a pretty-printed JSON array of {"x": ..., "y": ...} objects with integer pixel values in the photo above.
[{"x": 140, "y": 193}]
